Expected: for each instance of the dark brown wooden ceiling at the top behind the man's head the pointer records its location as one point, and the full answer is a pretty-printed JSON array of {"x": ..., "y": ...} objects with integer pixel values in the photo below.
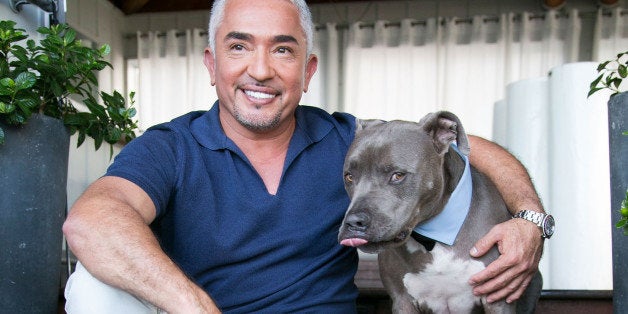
[{"x": 146, "y": 6}]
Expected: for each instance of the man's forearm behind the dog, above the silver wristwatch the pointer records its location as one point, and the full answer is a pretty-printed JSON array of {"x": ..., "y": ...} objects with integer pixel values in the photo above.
[{"x": 508, "y": 174}]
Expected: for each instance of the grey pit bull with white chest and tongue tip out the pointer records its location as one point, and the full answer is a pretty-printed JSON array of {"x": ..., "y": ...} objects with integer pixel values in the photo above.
[{"x": 400, "y": 176}]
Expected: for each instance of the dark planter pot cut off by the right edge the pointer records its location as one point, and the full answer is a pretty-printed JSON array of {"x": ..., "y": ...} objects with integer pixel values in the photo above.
[{"x": 618, "y": 147}]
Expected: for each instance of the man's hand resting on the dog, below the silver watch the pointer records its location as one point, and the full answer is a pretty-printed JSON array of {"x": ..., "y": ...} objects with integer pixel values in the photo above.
[{"x": 520, "y": 246}]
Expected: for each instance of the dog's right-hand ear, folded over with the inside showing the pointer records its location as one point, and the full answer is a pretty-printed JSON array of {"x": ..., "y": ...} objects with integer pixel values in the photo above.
[{"x": 445, "y": 127}]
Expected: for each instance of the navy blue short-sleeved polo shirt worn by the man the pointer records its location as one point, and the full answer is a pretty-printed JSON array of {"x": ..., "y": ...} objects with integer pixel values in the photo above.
[{"x": 251, "y": 251}]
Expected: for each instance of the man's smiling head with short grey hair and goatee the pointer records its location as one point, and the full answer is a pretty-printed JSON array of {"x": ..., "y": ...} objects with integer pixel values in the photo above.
[{"x": 260, "y": 65}]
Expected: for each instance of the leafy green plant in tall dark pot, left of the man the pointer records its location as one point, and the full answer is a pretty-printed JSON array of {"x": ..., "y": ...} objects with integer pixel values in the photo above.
[{"x": 48, "y": 91}]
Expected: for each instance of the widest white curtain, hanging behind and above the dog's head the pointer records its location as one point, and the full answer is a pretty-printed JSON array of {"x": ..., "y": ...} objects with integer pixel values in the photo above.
[{"x": 403, "y": 71}]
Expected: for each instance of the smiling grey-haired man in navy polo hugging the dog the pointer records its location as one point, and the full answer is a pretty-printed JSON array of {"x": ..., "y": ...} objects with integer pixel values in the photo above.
[{"x": 238, "y": 209}]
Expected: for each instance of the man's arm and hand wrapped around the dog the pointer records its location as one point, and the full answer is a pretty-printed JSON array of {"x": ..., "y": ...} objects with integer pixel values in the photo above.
[{"x": 518, "y": 241}]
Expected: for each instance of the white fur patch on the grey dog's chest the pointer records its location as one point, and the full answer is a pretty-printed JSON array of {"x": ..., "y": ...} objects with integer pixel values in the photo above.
[{"x": 443, "y": 284}]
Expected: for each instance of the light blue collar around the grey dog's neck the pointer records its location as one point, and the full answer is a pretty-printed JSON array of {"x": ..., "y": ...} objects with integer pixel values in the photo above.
[{"x": 445, "y": 226}]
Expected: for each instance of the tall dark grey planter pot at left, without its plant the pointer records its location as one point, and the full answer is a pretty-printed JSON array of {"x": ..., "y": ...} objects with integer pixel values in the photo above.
[{"x": 33, "y": 192}]
